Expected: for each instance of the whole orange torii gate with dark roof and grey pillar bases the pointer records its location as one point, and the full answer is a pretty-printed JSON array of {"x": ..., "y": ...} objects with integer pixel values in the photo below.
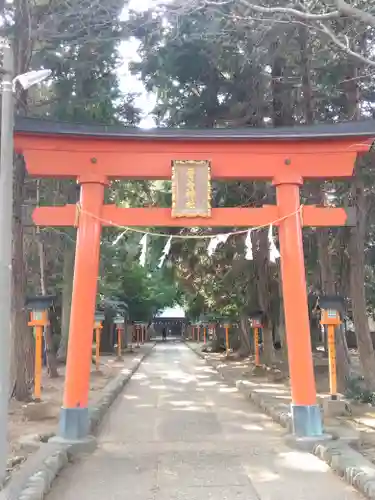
[{"x": 95, "y": 154}]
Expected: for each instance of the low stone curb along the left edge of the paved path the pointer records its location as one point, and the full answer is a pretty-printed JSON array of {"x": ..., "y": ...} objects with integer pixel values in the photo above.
[{"x": 51, "y": 458}]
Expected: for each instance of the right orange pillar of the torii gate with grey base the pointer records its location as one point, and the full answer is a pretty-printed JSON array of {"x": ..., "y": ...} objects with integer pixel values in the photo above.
[{"x": 306, "y": 415}]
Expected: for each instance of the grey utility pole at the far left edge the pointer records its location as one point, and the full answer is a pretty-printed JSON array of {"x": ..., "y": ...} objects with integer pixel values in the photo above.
[{"x": 6, "y": 219}]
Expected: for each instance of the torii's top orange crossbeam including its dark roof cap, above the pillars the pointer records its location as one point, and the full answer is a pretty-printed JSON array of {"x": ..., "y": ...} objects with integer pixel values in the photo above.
[{"x": 70, "y": 150}]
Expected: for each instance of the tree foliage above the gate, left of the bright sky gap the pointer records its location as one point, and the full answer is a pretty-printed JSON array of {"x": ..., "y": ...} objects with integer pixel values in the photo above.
[{"x": 79, "y": 42}]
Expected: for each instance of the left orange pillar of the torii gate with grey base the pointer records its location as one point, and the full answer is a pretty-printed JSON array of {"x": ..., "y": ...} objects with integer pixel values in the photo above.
[{"x": 74, "y": 418}]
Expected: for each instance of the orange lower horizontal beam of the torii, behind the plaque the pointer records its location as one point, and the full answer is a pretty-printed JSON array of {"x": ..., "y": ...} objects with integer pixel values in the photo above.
[{"x": 221, "y": 217}]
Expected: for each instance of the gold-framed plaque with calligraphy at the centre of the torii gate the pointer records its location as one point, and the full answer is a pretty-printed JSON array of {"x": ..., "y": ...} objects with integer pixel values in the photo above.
[{"x": 191, "y": 188}]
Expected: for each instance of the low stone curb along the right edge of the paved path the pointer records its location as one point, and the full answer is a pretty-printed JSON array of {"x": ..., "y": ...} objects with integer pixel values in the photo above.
[{"x": 347, "y": 463}]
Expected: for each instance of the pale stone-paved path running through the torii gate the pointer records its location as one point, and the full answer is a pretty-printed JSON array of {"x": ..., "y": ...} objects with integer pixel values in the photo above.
[{"x": 177, "y": 432}]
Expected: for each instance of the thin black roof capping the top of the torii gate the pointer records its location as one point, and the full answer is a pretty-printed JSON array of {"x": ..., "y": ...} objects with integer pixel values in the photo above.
[{"x": 364, "y": 128}]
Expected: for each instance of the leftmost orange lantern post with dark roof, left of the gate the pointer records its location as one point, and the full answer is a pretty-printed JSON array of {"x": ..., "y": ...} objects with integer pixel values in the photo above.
[{"x": 38, "y": 307}]
